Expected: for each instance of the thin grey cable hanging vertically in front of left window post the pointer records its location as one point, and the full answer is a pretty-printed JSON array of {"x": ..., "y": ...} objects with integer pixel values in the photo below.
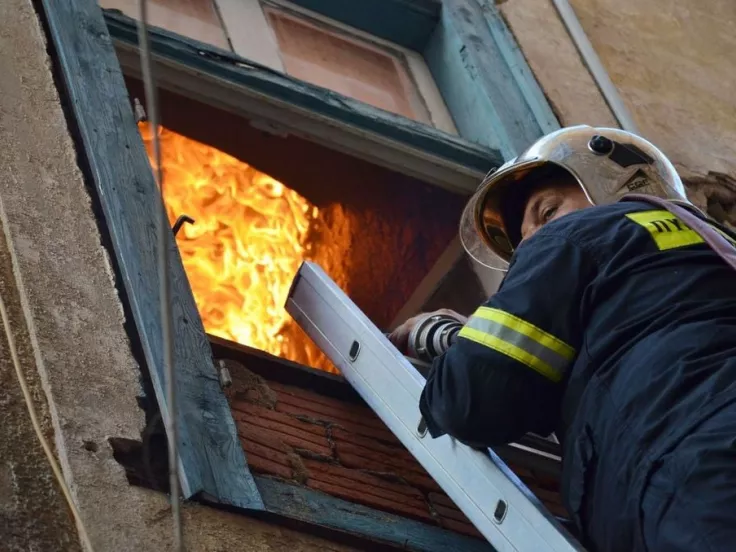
[{"x": 163, "y": 271}]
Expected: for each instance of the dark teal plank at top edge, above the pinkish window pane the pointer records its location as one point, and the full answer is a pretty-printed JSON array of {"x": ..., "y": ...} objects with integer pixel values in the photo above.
[{"x": 408, "y": 23}]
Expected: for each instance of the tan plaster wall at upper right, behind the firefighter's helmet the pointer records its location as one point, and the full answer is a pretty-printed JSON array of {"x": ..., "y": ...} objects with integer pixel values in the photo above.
[{"x": 673, "y": 64}]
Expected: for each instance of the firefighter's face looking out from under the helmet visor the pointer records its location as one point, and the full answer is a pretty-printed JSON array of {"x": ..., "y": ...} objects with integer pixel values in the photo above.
[{"x": 550, "y": 201}]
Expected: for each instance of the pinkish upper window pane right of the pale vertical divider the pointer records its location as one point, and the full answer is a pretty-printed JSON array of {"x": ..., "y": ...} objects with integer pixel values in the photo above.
[{"x": 350, "y": 66}]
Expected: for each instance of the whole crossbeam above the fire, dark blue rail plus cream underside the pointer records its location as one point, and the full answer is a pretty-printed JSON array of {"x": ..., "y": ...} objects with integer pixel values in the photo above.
[{"x": 255, "y": 91}]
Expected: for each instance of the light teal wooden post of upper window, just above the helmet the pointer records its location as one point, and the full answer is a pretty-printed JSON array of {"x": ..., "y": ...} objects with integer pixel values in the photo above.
[{"x": 487, "y": 85}]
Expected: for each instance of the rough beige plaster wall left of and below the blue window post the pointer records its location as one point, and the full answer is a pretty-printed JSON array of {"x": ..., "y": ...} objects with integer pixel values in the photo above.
[{"x": 66, "y": 317}]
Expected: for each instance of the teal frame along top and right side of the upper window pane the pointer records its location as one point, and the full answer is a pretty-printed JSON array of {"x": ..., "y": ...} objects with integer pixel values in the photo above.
[{"x": 482, "y": 75}]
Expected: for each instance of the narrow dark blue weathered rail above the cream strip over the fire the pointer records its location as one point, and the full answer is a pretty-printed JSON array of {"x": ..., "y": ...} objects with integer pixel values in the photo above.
[{"x": 232, "y": 69}]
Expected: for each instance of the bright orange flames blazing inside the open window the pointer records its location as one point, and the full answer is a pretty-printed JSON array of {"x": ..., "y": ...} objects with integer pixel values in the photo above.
[{"x": 240, "y": 256}]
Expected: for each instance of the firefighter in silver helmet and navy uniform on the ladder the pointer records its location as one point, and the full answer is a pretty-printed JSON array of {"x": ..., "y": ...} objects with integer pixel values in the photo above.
[{"x": 615, "y": 326}]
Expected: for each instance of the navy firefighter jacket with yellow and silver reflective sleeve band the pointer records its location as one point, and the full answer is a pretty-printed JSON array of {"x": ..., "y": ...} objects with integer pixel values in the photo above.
[{"x": 616, "y": 327}]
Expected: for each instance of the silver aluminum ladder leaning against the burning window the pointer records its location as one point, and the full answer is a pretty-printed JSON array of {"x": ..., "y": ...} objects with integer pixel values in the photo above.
[{"x": 493, "y": 498}]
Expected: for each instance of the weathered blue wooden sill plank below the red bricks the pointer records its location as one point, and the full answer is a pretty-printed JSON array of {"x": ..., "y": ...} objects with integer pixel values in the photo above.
[{"x": 320, "y": 509}]
